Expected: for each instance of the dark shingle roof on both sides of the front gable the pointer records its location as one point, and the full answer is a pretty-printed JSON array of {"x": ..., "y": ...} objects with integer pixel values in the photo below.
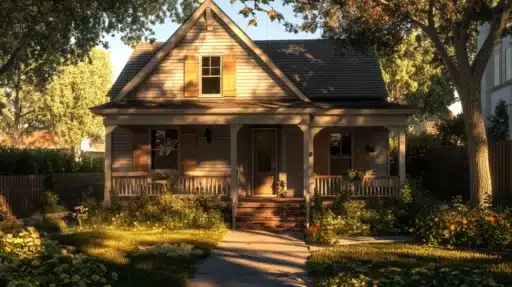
[{"x": 317, "y": 67}]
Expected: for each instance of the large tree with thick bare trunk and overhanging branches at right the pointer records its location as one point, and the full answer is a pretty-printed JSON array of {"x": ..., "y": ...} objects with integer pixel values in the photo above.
[{"x": 450, "y": 26}]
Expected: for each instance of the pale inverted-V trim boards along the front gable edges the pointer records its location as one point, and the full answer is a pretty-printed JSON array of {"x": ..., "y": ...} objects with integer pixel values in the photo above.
[{"x": 176, "y": 38}]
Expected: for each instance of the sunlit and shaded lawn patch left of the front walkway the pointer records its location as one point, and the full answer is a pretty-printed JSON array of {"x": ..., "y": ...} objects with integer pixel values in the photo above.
[{"x": 116, "y": 250}]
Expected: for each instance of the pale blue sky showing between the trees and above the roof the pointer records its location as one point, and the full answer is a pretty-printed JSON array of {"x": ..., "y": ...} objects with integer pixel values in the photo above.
[{"x": 266, "y": 30}]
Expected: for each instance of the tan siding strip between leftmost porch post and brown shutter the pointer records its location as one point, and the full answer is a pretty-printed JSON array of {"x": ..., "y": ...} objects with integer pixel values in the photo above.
[{"x": 122, "y": 149}]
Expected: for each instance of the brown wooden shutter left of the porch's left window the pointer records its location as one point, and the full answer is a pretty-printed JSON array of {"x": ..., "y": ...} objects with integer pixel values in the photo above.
[{"x": 141, "y": 149}]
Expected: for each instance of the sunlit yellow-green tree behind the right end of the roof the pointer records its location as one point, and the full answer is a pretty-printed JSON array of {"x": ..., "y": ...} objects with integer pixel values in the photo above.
[{"x": 414, "y": 75}]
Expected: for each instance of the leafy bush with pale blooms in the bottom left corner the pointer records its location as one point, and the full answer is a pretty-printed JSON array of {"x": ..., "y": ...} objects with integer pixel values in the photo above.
[{"x": 28, "y": 260}]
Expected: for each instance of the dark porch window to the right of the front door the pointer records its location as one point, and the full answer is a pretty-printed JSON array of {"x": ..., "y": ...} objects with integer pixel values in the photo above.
[{"x": 340, "y": 153}]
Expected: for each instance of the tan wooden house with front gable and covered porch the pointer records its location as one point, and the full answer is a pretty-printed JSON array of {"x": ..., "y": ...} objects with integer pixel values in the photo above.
[{"x": 222, "y": 114}]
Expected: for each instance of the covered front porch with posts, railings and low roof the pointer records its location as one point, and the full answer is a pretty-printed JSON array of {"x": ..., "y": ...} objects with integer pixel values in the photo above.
[{"x": 262, "y": 150}]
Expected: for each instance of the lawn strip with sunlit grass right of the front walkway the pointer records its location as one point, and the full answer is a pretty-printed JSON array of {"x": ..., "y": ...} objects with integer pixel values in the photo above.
[{"x": 373, "y": 261}]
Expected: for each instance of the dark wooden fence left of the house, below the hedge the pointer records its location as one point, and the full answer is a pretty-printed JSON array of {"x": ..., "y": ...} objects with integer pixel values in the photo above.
[{"x": 23, "y": 194}]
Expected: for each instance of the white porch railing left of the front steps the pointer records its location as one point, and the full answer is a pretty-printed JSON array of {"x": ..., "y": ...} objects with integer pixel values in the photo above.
[{"x": 209, "y": 185}]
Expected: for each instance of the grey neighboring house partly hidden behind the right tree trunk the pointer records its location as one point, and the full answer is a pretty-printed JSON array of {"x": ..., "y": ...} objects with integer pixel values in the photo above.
[{"x": 496, "y": 81}]
